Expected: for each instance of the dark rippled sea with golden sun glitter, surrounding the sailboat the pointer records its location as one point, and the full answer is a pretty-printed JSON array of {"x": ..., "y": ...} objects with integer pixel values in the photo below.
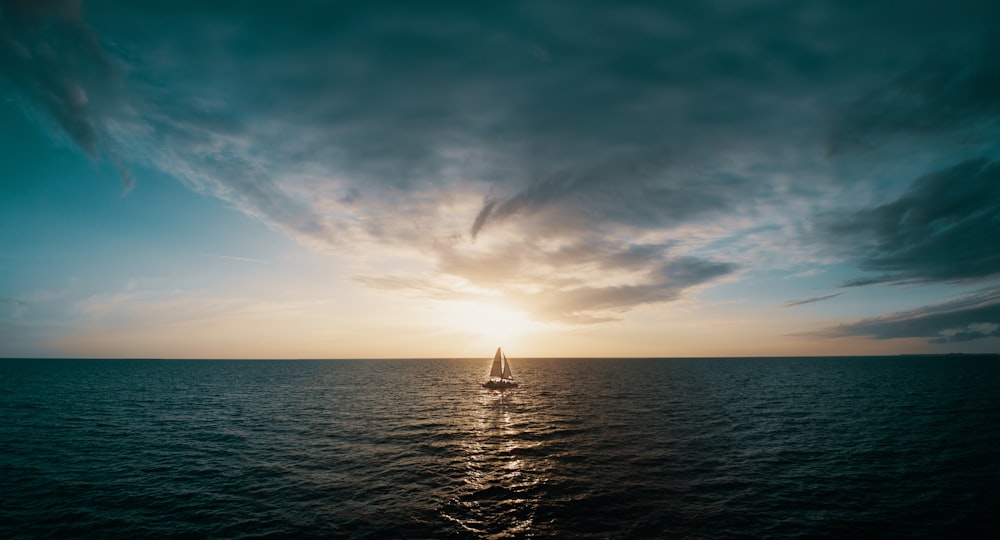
[{"x": 834, "y": 447}]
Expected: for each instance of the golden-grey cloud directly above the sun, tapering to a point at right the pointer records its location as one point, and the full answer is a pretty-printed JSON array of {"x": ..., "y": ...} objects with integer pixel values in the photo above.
[{"x": 559, "y": 284}]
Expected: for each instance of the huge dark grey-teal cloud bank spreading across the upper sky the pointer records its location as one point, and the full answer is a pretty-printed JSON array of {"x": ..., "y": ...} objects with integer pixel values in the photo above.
[{"x": 581, "y": 125}]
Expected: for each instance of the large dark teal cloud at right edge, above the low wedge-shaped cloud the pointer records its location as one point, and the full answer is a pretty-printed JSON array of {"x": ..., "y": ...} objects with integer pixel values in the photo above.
[{"x": 944, "y": 228}]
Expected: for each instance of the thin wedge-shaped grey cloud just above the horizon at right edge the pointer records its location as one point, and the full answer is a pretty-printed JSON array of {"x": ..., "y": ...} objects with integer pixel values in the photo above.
[{"x": 970, "y": 317}]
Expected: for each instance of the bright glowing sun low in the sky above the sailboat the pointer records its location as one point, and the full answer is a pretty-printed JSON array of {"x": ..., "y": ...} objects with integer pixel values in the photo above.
[{"x": 490, "y": 322}]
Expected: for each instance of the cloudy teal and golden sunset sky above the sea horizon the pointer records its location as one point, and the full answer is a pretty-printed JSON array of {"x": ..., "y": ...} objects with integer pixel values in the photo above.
[{"x": 433, "y": 179}]
